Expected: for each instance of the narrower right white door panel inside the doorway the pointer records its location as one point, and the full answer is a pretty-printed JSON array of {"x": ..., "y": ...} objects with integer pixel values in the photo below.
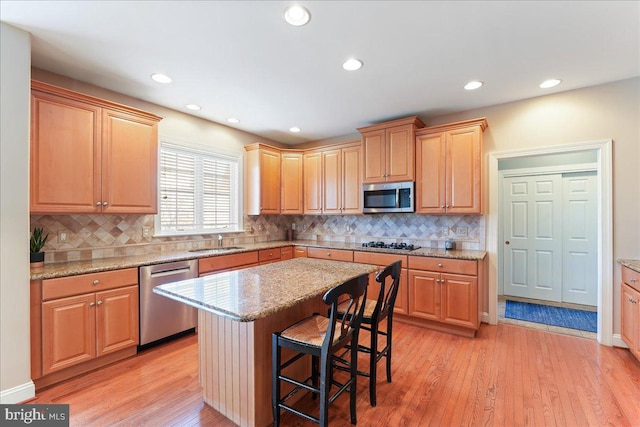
[{"x": 580, "y": 212}]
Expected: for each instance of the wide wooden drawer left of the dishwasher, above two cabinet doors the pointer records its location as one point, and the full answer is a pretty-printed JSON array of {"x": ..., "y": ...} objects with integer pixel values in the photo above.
[{"x": 85, "y": 283}]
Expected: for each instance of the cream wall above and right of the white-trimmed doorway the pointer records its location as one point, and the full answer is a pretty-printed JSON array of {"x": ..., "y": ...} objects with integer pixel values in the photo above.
[{"x": 608, "y": 111}]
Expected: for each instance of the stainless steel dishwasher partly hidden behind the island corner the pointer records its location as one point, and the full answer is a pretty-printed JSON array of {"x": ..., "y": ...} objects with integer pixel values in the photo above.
[{"x": 161, "y": 317}]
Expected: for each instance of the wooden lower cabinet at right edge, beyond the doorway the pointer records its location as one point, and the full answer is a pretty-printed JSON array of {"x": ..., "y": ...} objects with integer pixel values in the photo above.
[{"x": 630, "y": 307}]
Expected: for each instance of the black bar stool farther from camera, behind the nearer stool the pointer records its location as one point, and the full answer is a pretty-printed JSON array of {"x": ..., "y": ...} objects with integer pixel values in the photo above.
[{"x": 374, "y": 313}]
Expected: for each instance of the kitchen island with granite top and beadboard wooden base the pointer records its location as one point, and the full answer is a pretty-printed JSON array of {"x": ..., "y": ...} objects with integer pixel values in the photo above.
[{"x": 237, "y": 313}]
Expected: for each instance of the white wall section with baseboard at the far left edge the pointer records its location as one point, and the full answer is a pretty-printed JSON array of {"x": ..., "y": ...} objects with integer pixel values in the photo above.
[{"x": 15, "y": 64}]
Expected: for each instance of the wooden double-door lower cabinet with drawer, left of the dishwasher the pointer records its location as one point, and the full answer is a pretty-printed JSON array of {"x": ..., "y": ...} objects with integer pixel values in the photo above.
[{"x": 80, "y": 323}]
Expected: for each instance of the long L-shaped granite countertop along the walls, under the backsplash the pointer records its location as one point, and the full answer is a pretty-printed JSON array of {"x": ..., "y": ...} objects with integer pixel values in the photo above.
[{"x": 73, "y": 268}]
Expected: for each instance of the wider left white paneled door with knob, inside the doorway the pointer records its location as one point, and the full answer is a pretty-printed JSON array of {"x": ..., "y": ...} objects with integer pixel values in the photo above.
[{"x": 533, "y": 237}]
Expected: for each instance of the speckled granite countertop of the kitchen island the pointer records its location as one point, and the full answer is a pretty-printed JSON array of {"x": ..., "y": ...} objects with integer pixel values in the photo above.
[{"x": 257, "y": 292}]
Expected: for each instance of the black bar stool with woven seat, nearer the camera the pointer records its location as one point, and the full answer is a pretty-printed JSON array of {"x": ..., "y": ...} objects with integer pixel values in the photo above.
[{"x": 321, "y": 337}]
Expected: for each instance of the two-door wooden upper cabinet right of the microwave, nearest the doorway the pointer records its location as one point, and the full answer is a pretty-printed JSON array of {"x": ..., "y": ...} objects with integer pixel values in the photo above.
[{"x": 449, "y": 168}]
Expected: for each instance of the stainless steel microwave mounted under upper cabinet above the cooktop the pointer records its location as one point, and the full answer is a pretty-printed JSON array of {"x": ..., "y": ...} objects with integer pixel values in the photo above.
[{"x": 388, "y": 197}]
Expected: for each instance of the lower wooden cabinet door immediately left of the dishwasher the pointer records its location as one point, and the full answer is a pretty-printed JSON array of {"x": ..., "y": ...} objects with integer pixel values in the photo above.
[{"x": 116, "y": 319}]
